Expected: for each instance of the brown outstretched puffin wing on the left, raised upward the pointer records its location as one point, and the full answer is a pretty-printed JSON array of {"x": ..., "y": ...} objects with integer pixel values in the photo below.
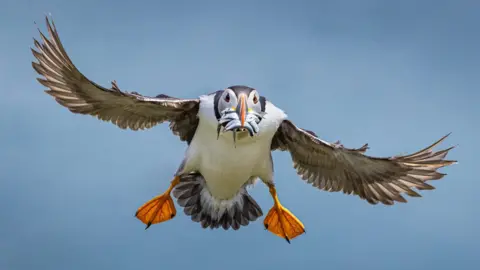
[{"x": 73, "y": 90}]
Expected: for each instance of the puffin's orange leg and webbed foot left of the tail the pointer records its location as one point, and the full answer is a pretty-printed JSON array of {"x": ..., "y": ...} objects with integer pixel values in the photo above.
[{"x": 158, "y": 209}]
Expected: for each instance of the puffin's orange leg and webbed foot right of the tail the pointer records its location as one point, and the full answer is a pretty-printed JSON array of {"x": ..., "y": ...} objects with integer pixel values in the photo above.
[{"x": 280, "y": 221}]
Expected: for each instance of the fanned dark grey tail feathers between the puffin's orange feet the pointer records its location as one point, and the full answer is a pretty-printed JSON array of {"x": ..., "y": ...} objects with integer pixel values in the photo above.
[{"x": 197, "y": 202}]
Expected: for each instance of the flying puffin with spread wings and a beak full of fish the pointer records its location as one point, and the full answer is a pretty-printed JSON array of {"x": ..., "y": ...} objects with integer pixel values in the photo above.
[{"x": 230, "y": 135}]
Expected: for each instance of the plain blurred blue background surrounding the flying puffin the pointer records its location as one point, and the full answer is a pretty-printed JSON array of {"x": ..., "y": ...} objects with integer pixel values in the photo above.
[{"x": 396, "y": 74}]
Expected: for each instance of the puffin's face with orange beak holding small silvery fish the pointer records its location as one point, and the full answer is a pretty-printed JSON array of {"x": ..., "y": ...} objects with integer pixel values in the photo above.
[{"x": 239, "y": 109}]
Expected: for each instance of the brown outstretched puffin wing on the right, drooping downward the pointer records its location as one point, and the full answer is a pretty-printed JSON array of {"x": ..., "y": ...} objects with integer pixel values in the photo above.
[{"x": 334, "y": 168}]
